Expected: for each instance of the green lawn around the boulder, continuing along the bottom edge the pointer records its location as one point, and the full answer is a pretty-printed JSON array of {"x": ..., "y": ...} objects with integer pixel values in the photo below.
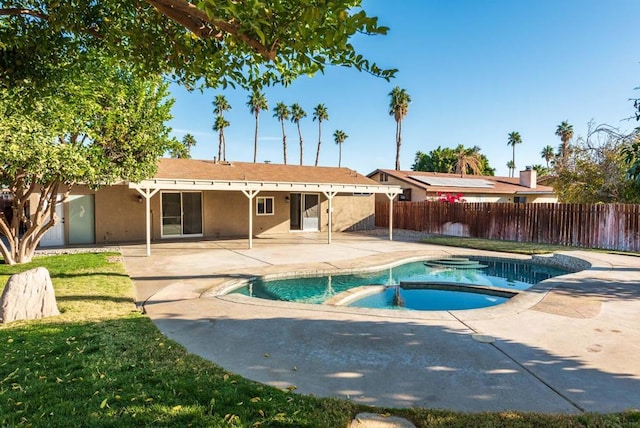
[{"x": 102, "y": 363}]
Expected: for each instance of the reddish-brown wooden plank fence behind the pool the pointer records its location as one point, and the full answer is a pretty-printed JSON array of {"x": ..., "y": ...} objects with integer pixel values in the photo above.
[{"x": 606, "y": 226}]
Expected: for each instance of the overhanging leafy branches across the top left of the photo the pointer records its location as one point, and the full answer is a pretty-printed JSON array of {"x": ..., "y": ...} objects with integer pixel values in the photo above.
[{"x": 210, "y": 42}]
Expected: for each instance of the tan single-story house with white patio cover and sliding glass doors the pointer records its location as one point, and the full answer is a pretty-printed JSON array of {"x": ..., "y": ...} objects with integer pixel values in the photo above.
[{"x": 191, "y": 198}]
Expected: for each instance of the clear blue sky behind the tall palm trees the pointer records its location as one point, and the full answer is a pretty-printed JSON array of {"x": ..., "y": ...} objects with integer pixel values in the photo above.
[{"x": 476, "y": 70}]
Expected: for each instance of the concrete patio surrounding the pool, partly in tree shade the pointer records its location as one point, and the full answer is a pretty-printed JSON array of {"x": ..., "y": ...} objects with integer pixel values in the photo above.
[{"x": 570, "y": 344}]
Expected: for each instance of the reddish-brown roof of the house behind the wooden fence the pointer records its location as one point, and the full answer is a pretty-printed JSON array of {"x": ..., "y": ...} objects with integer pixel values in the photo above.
[{"x": 502, "y": 185}]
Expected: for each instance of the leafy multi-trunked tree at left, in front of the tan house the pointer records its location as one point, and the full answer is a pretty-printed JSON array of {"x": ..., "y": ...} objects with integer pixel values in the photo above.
[{"x": 92, "y": 125}]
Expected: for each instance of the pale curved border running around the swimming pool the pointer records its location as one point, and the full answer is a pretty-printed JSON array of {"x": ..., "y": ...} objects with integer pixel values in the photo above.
[{"x": 519, "y": 303}]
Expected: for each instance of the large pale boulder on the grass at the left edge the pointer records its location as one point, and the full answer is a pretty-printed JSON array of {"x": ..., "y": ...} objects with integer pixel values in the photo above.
[{"x": 28, "y": 295}]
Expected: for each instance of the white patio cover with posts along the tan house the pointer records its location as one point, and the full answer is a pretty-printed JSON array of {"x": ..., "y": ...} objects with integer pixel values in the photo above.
[{"x": 250, "y": 189}]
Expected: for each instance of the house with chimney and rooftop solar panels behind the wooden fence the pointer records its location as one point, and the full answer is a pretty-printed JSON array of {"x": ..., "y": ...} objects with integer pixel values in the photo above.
[{"x": 420, "y": 186}]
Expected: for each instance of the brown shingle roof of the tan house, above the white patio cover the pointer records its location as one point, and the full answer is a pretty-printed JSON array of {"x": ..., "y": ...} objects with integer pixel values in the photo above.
[{"x": 193, "y": 169}]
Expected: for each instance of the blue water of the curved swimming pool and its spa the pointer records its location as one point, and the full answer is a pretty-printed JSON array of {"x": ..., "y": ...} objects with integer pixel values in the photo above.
[{"x": 400, "y": 281}]
